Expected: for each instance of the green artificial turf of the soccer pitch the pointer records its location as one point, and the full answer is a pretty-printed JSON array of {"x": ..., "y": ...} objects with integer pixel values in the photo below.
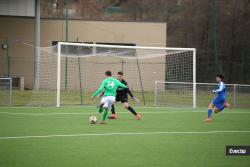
[{"x": 159, "y": 139}]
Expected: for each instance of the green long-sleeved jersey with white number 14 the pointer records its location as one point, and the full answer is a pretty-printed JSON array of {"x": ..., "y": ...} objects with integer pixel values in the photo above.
[{"x": 110, "y": 85}]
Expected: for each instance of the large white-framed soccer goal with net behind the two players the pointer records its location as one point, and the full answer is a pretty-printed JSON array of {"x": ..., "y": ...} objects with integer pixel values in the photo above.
[{"x": 68, "y": 73}]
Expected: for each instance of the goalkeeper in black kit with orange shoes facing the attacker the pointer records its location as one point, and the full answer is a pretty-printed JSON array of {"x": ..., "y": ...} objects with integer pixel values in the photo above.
[{"x": 122, "y": 96}]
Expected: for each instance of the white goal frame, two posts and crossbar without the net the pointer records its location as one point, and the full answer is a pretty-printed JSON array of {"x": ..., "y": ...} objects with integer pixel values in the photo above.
[{"x": 58, "y": 84}]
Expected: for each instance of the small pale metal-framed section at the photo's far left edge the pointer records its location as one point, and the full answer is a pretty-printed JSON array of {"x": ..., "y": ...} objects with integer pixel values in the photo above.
[{"x": 5, "y": 91}]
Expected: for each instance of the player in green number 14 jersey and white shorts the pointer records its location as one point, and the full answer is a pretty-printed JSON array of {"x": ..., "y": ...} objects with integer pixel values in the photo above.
[{"x": 110, "y": 85}]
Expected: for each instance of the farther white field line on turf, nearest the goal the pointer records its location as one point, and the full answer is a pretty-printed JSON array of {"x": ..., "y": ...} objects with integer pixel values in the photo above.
[{"x": 93, "y": 113}]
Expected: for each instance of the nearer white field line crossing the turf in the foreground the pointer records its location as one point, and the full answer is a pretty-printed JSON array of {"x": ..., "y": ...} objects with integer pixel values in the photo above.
[{"x": 115, "y": 134}]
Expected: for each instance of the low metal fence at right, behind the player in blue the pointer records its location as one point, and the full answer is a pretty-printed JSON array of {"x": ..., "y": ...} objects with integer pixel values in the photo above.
[{"x": 181, "y": 94}]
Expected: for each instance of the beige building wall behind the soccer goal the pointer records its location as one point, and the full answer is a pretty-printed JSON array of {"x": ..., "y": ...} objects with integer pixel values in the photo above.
[{"x": 21, "y": 51}]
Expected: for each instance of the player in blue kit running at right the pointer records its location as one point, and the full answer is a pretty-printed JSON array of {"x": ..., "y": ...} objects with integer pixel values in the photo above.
[{"x": 219, "y": 101}]
